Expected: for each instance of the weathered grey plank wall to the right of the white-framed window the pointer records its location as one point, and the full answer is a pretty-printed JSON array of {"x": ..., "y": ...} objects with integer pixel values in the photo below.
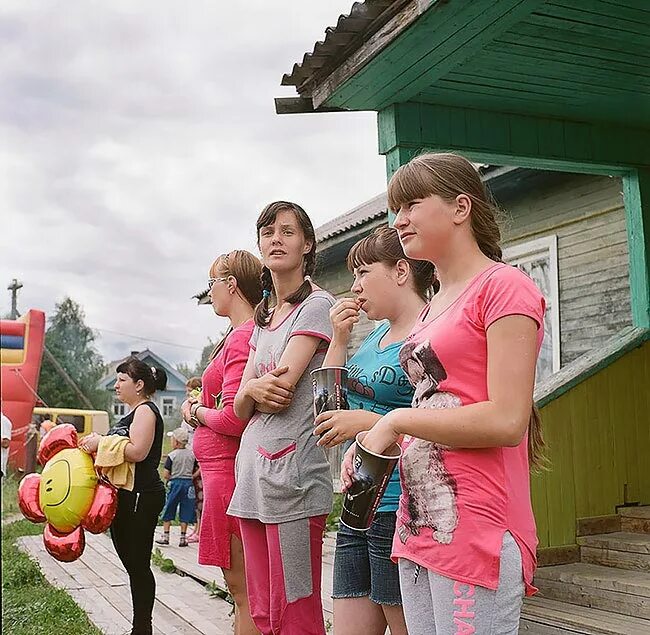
[{"x": 587, "y": 215}]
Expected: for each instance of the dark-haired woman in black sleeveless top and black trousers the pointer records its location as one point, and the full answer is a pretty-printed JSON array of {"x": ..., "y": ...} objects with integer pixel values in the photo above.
[{"x": 137, "y": 513}]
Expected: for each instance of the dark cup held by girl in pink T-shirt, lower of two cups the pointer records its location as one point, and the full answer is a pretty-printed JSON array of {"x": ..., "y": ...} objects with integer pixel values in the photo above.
[{"x": 369, "y": 481}]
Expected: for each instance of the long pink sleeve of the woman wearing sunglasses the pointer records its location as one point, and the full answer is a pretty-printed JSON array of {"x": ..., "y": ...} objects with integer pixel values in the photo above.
[{"x": 224, "y": 420}]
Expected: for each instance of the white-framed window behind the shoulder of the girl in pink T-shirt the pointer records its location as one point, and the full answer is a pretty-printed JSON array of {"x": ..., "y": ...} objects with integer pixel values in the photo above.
[{"x": 538, "y": 259}]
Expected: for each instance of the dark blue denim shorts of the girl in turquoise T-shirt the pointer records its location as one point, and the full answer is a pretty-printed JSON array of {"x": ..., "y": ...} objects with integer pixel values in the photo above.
[{"x": 362, "y": 564}]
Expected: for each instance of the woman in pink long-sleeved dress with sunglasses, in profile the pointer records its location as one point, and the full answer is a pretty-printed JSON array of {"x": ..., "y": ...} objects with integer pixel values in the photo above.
[{"x": 235, "y": 288}]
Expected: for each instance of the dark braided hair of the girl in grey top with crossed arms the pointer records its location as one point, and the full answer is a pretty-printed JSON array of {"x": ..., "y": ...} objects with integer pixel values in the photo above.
[{"x": 267, "y": 217}]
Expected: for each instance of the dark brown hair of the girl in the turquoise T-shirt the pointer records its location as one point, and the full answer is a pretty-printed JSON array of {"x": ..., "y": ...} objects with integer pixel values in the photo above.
[{"x": 383, "y": 246}]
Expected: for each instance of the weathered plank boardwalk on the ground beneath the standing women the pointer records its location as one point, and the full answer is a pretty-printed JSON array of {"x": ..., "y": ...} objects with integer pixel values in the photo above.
[{"x": 98, "y": 583}]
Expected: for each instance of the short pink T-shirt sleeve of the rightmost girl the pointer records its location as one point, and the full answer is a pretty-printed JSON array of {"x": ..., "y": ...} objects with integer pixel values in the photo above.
[{"x": 509, "y": 291}]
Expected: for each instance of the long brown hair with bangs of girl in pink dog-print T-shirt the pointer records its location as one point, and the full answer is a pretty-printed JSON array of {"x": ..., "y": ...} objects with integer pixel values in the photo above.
[{"x": 447, "y": 175}]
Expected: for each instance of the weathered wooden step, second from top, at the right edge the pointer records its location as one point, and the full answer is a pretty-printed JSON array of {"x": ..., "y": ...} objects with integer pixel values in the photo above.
[{"x": 621, "y": 549}]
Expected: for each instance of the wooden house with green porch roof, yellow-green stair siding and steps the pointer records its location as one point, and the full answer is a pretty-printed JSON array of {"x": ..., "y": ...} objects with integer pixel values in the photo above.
[{"x": 550, "y": 86}]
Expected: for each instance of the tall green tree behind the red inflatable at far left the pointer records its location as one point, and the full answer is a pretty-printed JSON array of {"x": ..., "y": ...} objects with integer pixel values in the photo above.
[{"x": 72, "y": 344}]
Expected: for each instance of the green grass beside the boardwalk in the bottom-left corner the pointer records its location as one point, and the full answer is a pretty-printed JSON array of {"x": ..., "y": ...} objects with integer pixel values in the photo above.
[{"x": 30, "y": 604}]
